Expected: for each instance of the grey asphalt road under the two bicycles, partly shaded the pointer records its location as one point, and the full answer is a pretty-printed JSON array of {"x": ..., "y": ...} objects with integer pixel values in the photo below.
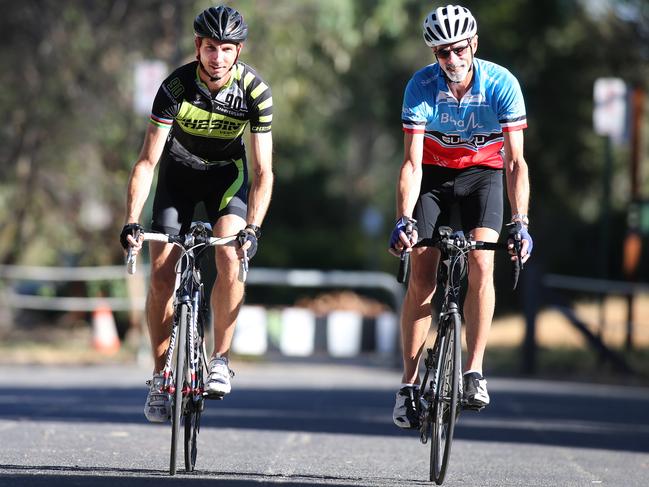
[{"x": 302, "y": 423}]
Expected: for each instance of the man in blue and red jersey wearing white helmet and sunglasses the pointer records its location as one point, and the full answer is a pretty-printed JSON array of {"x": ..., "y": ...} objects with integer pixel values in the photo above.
[{"x": 463, "y": 121}]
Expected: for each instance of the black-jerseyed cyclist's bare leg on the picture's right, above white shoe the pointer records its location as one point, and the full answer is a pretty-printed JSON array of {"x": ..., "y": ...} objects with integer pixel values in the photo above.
[{"x": 227, "y": 293}]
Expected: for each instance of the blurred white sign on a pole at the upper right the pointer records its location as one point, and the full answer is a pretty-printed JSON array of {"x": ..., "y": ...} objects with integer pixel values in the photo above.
[{"x": 610, "y": 112}]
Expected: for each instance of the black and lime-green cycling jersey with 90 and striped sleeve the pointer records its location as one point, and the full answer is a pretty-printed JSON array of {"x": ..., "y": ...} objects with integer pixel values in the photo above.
[{"x": 208, "y": 128}]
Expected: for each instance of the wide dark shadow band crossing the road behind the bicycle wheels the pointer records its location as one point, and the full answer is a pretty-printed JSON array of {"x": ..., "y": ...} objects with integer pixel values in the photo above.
[{"x": 561, "y": 418}]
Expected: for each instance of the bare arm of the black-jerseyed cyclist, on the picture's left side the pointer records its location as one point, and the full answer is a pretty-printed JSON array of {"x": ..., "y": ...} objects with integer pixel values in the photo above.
[{"x": 139, "y": 183}]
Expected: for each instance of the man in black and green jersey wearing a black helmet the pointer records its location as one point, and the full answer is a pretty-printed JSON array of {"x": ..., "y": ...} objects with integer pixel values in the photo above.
[{"x": 196, "y": 134}]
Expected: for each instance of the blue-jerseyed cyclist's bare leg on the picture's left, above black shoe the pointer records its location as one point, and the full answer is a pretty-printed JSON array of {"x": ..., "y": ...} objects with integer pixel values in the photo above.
[{"x": 416, "y": 312}]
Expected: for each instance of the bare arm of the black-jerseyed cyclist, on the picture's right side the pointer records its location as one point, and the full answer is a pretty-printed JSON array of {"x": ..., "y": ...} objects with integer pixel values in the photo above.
[{"x": 261, "y": 152}]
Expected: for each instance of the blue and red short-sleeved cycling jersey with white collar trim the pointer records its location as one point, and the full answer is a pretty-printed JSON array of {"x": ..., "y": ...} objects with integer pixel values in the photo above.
[{"x": 469, "y": 132}]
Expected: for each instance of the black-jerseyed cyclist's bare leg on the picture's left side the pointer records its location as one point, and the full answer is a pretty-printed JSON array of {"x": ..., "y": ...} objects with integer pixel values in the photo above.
[{"x": 159, "y": 303}]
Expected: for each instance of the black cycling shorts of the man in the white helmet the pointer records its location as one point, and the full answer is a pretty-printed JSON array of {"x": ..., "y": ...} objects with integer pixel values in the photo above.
[{"x": 460, "y": 198}]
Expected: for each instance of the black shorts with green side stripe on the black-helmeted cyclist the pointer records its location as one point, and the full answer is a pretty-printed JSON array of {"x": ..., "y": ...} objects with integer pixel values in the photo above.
[{"x": 222, "y": 188}]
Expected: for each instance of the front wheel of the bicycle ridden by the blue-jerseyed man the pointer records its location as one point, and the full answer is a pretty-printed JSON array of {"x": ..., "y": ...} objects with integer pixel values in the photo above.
[{"x": 446, "y": 400}]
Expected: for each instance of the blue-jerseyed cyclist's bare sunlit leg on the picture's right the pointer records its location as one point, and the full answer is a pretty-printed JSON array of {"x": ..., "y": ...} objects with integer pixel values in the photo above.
[{"x": 480, "y": 300}]
